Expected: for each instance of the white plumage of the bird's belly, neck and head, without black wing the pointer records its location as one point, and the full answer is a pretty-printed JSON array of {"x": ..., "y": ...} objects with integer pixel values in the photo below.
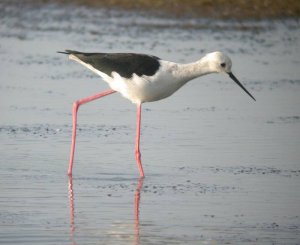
[{"x": 167, "y": 80}]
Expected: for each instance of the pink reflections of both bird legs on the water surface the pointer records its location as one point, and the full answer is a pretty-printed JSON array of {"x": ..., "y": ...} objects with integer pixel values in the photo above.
[{"x": 137, "y": 198}]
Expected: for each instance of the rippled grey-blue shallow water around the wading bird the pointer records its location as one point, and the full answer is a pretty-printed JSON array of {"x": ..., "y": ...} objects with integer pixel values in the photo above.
[{"x": 220, "y": 168}]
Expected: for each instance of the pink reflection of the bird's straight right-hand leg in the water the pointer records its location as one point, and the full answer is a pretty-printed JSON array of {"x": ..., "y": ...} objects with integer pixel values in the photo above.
[{"x": 137, "y": 198}]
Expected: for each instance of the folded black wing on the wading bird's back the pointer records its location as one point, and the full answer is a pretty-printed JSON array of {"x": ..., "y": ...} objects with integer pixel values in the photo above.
[{"x": 126, "y": 64}]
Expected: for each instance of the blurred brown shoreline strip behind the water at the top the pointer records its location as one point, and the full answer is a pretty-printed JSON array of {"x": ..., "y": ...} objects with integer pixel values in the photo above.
[{"x": 220, "y": 9}]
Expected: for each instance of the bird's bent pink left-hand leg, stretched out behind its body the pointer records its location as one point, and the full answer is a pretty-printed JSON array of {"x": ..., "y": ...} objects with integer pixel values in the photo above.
[{"x": 75, "y": 109}]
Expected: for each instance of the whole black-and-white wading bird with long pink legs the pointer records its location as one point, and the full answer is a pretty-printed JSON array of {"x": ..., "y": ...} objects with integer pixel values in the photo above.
[{"x": 143, "y": 78}]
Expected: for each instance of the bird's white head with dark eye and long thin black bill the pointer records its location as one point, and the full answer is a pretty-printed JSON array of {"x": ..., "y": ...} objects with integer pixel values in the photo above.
[{"x": 219, "y": 62}]
